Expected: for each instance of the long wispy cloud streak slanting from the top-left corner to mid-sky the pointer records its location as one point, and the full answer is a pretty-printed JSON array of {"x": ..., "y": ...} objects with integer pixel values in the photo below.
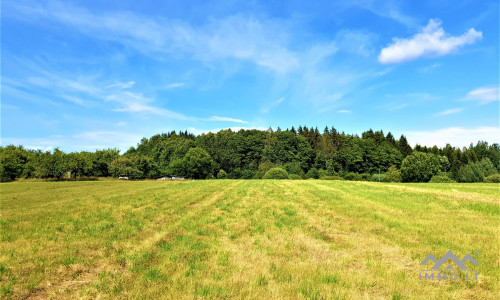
[{"x": 261, "y": 41}]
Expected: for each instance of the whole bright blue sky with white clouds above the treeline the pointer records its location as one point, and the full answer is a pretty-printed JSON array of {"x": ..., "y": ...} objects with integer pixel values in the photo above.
[{"x": 82, "y": 75}]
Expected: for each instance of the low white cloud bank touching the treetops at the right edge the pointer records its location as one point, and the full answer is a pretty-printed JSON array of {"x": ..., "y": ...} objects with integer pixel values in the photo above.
[{"x": 455, "y": 136}]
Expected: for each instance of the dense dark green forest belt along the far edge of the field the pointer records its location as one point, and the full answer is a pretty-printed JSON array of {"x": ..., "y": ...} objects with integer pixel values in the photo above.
[{"x": 301, "y": 153}]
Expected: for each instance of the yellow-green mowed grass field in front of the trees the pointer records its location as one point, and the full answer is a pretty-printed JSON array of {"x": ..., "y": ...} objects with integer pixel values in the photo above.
[{"x": 252, "y": 239}]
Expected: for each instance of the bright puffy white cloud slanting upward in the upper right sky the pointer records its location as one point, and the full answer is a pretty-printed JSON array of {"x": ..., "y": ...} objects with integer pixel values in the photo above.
[{"x": 431, "y": 41}]
